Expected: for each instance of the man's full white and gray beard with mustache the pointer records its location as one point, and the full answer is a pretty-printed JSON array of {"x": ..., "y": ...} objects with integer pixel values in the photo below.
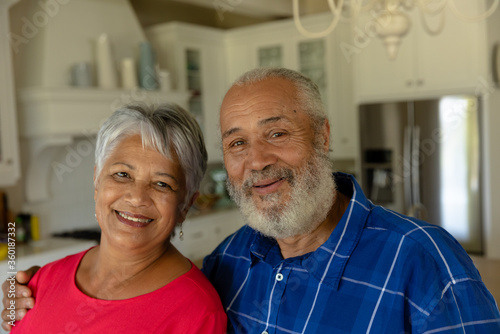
[{"x": 311, "y": 197}]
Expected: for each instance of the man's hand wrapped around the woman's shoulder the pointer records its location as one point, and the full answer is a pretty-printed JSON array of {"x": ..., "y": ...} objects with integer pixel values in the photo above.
[{"x": 22, "y": 301}]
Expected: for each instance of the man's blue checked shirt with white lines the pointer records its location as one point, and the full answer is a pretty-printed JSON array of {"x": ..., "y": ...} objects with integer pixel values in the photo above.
[{"x": 379, "y": 272}]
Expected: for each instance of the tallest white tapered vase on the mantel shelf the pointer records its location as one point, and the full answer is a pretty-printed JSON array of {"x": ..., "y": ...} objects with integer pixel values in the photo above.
[{"x": 106, "y": 70}]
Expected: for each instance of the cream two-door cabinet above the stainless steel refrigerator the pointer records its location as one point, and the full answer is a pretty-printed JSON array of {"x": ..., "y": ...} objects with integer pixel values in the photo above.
[{"x": 450, "y": 62}]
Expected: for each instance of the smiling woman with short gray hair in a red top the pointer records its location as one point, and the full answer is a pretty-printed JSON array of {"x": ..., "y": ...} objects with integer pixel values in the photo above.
[{"x": 148, "y": 166}]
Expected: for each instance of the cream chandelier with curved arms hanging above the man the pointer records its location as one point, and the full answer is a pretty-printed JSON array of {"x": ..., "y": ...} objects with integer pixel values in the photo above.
[{"x": 397, "y": 23}]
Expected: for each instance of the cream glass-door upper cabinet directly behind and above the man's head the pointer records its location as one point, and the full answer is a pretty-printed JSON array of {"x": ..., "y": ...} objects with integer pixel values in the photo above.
[{"x": 280, "y": 44}]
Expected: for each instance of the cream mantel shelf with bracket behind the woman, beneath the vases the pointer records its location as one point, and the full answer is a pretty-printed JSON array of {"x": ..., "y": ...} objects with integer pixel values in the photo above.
[{"x": 52, "y": 118}]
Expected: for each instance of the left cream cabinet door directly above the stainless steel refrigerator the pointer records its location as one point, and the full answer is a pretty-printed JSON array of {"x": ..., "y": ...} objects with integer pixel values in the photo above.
[{"x": 377, "y": 76}]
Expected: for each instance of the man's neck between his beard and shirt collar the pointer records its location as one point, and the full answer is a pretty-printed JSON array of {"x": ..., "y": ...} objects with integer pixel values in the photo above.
[{"x": 303, "y": 244}]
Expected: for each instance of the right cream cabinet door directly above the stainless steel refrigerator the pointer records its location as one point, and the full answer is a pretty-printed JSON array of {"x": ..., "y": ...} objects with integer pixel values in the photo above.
[{"x": 456, "y": 57}]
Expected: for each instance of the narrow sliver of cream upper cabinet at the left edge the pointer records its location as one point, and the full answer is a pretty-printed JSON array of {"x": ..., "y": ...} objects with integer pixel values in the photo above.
[{"x": 9, "y": 153}]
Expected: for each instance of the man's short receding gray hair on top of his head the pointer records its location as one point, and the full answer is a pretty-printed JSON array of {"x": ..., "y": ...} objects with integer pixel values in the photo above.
[{"x": 308, "y": 95}]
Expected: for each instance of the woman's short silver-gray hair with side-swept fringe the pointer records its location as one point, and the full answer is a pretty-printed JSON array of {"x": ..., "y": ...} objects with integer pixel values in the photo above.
[{"x": 167, "y": 128}]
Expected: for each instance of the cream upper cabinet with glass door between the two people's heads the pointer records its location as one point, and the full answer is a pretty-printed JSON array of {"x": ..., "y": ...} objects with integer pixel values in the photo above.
[{"x": 194, "y": 56}]
